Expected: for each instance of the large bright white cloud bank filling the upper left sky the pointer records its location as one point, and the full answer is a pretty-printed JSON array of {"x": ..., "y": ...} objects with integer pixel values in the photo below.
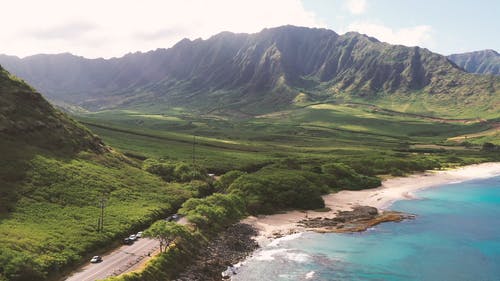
[{"x": 95, "y": 28}]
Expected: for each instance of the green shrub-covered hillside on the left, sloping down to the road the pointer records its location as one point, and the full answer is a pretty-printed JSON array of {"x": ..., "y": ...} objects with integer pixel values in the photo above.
[{"x": 53, "y": 174}]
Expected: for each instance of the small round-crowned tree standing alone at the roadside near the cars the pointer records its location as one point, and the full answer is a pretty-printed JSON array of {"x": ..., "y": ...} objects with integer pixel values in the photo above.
[{"x": 166, "y": 233}]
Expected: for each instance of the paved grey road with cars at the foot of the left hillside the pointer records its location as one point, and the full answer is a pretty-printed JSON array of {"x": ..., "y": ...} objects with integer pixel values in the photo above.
[{"x": 116, "y": 262}]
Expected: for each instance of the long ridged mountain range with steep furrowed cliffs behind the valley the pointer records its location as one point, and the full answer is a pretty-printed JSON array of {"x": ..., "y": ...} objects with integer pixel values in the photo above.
[{"x": 261, "y": 72}]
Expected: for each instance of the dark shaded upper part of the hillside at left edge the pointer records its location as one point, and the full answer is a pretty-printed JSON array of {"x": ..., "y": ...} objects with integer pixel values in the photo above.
[{"x": 26, "y": 117}]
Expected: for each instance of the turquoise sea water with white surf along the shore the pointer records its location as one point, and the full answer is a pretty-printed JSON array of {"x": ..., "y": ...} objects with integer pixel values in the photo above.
[{"x": 456, "y": 236}]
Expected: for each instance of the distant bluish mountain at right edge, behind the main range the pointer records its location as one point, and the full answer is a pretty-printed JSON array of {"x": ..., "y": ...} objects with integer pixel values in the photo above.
[{"x": 483, "y": 62}]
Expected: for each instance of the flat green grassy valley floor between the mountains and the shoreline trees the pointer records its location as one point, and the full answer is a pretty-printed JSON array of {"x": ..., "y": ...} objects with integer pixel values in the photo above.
[{"x": 315, "y": 133}]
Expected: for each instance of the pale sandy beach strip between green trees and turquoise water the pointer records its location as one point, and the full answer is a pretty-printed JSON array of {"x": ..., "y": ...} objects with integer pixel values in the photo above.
[{"x": 274, "y": 226}]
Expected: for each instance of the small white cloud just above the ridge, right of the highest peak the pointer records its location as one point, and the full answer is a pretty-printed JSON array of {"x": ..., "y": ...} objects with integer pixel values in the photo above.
[{"x": 420, "y": 35}]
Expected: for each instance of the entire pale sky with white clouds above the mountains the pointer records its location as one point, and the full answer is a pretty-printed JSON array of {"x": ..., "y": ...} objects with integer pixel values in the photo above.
[{"x": 112, "y": 28}]
